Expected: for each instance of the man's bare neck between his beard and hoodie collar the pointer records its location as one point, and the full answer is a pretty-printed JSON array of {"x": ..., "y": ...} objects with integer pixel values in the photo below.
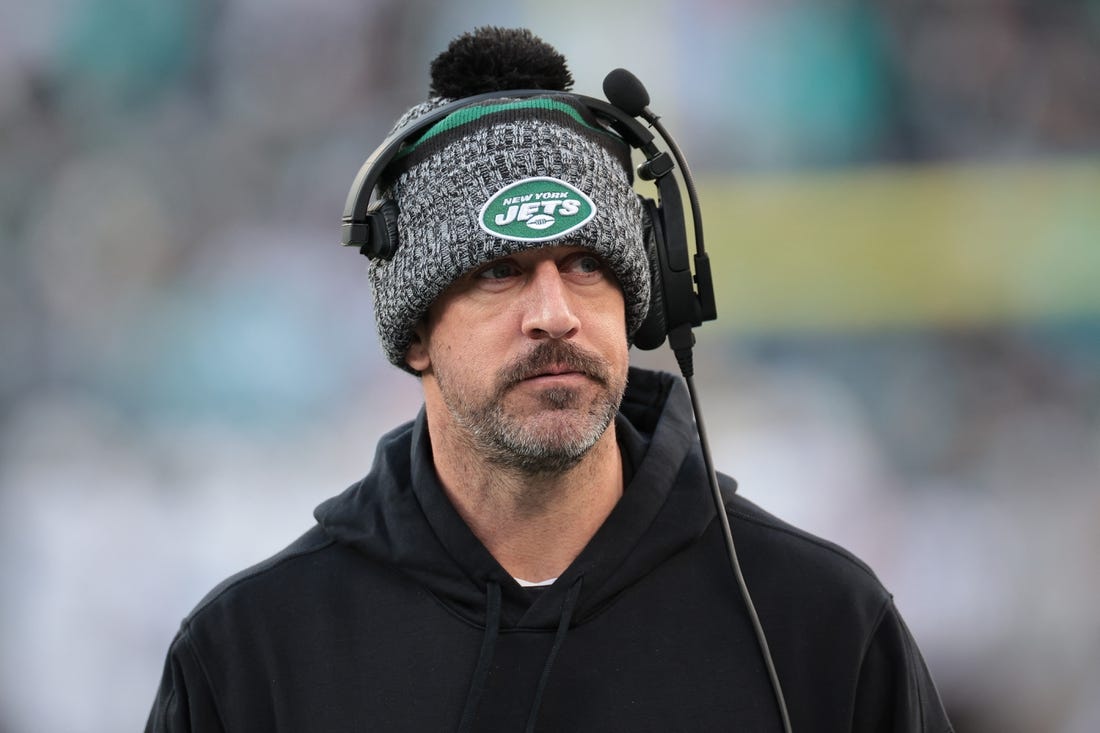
[{"x": 535, "y": 526}]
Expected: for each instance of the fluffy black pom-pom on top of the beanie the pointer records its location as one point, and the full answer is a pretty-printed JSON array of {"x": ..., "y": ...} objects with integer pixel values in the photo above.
[{"x": 497, "y": 59}]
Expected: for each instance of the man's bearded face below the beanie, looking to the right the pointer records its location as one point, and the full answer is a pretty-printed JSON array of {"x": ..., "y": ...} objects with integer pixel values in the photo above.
[{"x": 529, "y": 355}]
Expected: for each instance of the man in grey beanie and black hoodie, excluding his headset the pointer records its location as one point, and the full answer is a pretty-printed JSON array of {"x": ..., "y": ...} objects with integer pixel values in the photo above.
[{"x": 536, "y": 551}]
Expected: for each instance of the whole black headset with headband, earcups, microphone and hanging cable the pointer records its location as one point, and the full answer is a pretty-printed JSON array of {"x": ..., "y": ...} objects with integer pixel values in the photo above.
[{"x": 679, "y": 301}]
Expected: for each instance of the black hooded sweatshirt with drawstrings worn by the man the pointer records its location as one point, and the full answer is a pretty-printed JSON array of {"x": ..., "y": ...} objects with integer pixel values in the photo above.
[{"x": 391, "y": 616}]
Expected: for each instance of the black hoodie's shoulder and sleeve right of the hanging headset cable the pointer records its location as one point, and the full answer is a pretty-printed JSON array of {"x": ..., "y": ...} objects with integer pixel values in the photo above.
[{"x": 832, "y": 621}]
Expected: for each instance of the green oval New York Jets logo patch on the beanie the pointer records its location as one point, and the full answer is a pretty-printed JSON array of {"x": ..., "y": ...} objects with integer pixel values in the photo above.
[{"x": 536, "y": 210}]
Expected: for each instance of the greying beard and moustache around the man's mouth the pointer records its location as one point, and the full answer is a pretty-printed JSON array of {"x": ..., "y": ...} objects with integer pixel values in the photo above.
[{"x": 563, "y": 429}]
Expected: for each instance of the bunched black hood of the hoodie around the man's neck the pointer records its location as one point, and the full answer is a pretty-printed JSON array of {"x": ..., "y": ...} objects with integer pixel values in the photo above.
[{"x": 400, "y": 516}]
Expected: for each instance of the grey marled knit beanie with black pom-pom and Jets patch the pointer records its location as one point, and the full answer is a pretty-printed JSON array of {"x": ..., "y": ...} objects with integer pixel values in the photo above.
[{"x": 502, "y": 177}]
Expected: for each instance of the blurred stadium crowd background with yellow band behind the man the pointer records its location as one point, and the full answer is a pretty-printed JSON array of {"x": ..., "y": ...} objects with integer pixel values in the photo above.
[{"x": 904, "y": 210}]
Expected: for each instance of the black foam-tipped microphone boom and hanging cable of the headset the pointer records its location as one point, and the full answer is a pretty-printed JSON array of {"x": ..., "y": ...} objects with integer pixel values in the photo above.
[{"x": 628, "y": 93}]
